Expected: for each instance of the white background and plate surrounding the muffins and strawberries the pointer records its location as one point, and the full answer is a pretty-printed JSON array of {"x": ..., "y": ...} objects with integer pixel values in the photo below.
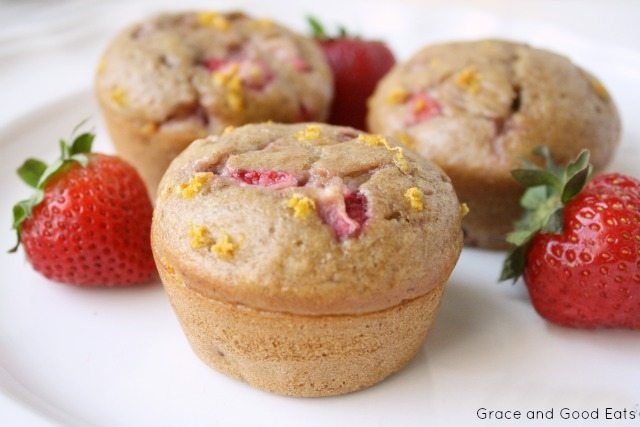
[{"x": 118, "y": 357}]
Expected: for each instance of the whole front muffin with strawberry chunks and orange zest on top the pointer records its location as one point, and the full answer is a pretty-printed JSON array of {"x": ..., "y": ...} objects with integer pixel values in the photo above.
[{"x": 306, "y": 260}]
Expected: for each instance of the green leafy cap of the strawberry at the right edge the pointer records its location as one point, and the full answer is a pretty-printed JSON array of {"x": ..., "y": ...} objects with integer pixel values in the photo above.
[{"x": 548, "y": 190}]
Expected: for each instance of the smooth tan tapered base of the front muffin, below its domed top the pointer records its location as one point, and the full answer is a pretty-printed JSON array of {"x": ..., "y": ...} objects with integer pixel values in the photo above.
[{"x": 296, "y": 355}]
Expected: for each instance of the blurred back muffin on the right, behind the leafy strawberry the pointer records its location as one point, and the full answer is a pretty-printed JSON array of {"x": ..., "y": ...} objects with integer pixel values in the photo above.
[{"x": 478, "y": 108}]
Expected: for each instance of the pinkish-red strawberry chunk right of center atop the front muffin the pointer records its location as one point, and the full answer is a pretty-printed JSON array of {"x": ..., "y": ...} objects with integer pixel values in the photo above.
[{"x": 346, "y": 216}]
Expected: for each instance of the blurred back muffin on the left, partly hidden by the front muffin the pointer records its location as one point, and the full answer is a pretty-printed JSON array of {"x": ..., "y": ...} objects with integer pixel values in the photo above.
[{"x": 167, "y": 81}]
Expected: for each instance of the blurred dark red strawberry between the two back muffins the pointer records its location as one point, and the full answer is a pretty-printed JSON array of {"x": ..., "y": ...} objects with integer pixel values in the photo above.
[{"x": 357, "y": 66}]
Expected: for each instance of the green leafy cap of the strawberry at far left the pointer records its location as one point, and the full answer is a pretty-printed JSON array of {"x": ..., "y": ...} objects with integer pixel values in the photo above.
[{"x": 36, "y": 174}]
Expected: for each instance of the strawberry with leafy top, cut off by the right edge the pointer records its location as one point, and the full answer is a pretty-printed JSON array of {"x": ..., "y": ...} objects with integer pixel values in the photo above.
[{"x": 579, "y": 248}]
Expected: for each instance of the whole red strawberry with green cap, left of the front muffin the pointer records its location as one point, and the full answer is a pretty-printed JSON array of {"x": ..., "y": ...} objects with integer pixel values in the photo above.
[{"x": 88, "y": 222}]
